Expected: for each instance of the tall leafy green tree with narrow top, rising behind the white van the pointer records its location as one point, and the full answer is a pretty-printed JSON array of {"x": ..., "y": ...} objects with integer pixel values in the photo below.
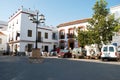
[{"x": 102, "y": 23}]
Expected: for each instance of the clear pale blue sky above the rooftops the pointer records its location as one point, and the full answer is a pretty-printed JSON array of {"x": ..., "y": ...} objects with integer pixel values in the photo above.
[{"x": 55, "y": 11}]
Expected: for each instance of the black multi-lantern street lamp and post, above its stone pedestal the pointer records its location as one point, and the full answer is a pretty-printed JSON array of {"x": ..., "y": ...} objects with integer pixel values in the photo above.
[{"x": 37, "y": 19}]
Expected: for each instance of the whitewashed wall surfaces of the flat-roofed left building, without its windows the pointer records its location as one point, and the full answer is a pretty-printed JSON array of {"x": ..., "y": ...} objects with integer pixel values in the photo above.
[{"x": 22, "y": 24}]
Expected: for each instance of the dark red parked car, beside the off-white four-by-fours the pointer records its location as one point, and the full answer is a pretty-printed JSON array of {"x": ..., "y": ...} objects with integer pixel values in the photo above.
[{"x": 64, "y": 54}]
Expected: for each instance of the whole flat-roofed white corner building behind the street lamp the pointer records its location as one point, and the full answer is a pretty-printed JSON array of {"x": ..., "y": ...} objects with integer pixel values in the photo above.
[{"x": 22, "y": 33}]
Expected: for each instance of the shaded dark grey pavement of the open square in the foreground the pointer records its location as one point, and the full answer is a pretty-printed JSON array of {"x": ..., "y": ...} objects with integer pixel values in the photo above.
[{"x": 52, "y": 68}]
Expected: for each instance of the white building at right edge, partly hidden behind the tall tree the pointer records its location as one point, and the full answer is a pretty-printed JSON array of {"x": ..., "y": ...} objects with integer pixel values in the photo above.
[{"x": 116, "y": 11}]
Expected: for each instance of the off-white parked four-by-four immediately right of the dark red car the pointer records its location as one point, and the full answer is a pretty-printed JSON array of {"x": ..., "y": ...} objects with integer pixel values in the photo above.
[{"x": 78, "y": 53}]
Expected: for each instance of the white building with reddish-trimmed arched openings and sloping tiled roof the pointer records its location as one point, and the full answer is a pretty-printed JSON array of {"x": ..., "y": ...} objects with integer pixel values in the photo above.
[{"x": 67, "y": 32}]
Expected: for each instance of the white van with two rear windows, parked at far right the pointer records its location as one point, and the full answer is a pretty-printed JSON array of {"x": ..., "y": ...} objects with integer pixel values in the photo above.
[{"x": 109, "y": 52}]
